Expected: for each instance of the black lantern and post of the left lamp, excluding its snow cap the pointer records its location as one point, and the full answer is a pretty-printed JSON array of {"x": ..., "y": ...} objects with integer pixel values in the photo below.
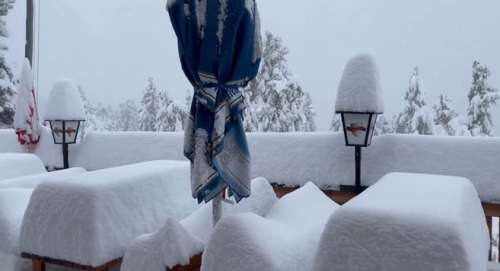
[{"x": 64, "y": 133}]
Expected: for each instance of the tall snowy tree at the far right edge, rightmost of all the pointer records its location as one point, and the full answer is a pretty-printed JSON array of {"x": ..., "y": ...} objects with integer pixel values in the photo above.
[{"x": 482, "y": 99}]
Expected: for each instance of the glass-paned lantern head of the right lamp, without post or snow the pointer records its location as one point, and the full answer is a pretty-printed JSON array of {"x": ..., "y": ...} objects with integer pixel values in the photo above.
[{"x": 356, "y": 128}]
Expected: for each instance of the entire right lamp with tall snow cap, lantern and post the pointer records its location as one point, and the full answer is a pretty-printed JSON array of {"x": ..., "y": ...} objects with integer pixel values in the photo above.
[{"x": 359, "y": 101}]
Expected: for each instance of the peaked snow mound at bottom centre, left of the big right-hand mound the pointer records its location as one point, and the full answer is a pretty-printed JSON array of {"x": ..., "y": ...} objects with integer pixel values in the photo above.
[{"x": 286, "y": 239}]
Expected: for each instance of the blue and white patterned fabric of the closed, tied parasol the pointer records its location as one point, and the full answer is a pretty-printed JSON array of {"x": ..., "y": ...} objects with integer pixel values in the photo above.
[{"x": 220, "y": 50}]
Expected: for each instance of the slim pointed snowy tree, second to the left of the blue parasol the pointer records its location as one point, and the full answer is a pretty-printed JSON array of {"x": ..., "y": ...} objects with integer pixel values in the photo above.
[{"x": 150, "y": 107}]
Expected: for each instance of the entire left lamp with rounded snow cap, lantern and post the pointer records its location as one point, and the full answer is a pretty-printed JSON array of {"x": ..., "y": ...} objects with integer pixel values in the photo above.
[{"x": 64, "y": 112}]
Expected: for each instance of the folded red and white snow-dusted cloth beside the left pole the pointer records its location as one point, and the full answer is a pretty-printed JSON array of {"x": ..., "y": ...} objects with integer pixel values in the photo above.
[{"x": 26, "y": 120}]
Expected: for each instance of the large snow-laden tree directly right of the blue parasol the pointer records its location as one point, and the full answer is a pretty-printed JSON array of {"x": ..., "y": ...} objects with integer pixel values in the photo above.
[{"x": 275, "y": 103}]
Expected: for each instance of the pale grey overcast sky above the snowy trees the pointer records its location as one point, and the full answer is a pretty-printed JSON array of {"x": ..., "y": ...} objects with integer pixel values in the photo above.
[{"x": 112, "y": 46}]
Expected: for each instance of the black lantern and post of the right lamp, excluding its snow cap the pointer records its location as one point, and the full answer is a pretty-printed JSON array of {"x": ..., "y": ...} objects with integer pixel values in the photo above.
[{"x": 358, "y": 132}]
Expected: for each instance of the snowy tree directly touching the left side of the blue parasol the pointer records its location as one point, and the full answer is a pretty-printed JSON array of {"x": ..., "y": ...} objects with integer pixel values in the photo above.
[{"x": 171, "y": 115}]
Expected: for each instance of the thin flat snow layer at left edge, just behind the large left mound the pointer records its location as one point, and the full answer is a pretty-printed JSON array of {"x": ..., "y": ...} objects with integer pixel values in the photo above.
[{"x": 32, "y": 181}]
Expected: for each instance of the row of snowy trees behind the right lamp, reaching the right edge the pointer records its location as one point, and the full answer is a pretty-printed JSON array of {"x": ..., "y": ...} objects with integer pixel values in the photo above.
[{"x": 418, "y": 117}]
